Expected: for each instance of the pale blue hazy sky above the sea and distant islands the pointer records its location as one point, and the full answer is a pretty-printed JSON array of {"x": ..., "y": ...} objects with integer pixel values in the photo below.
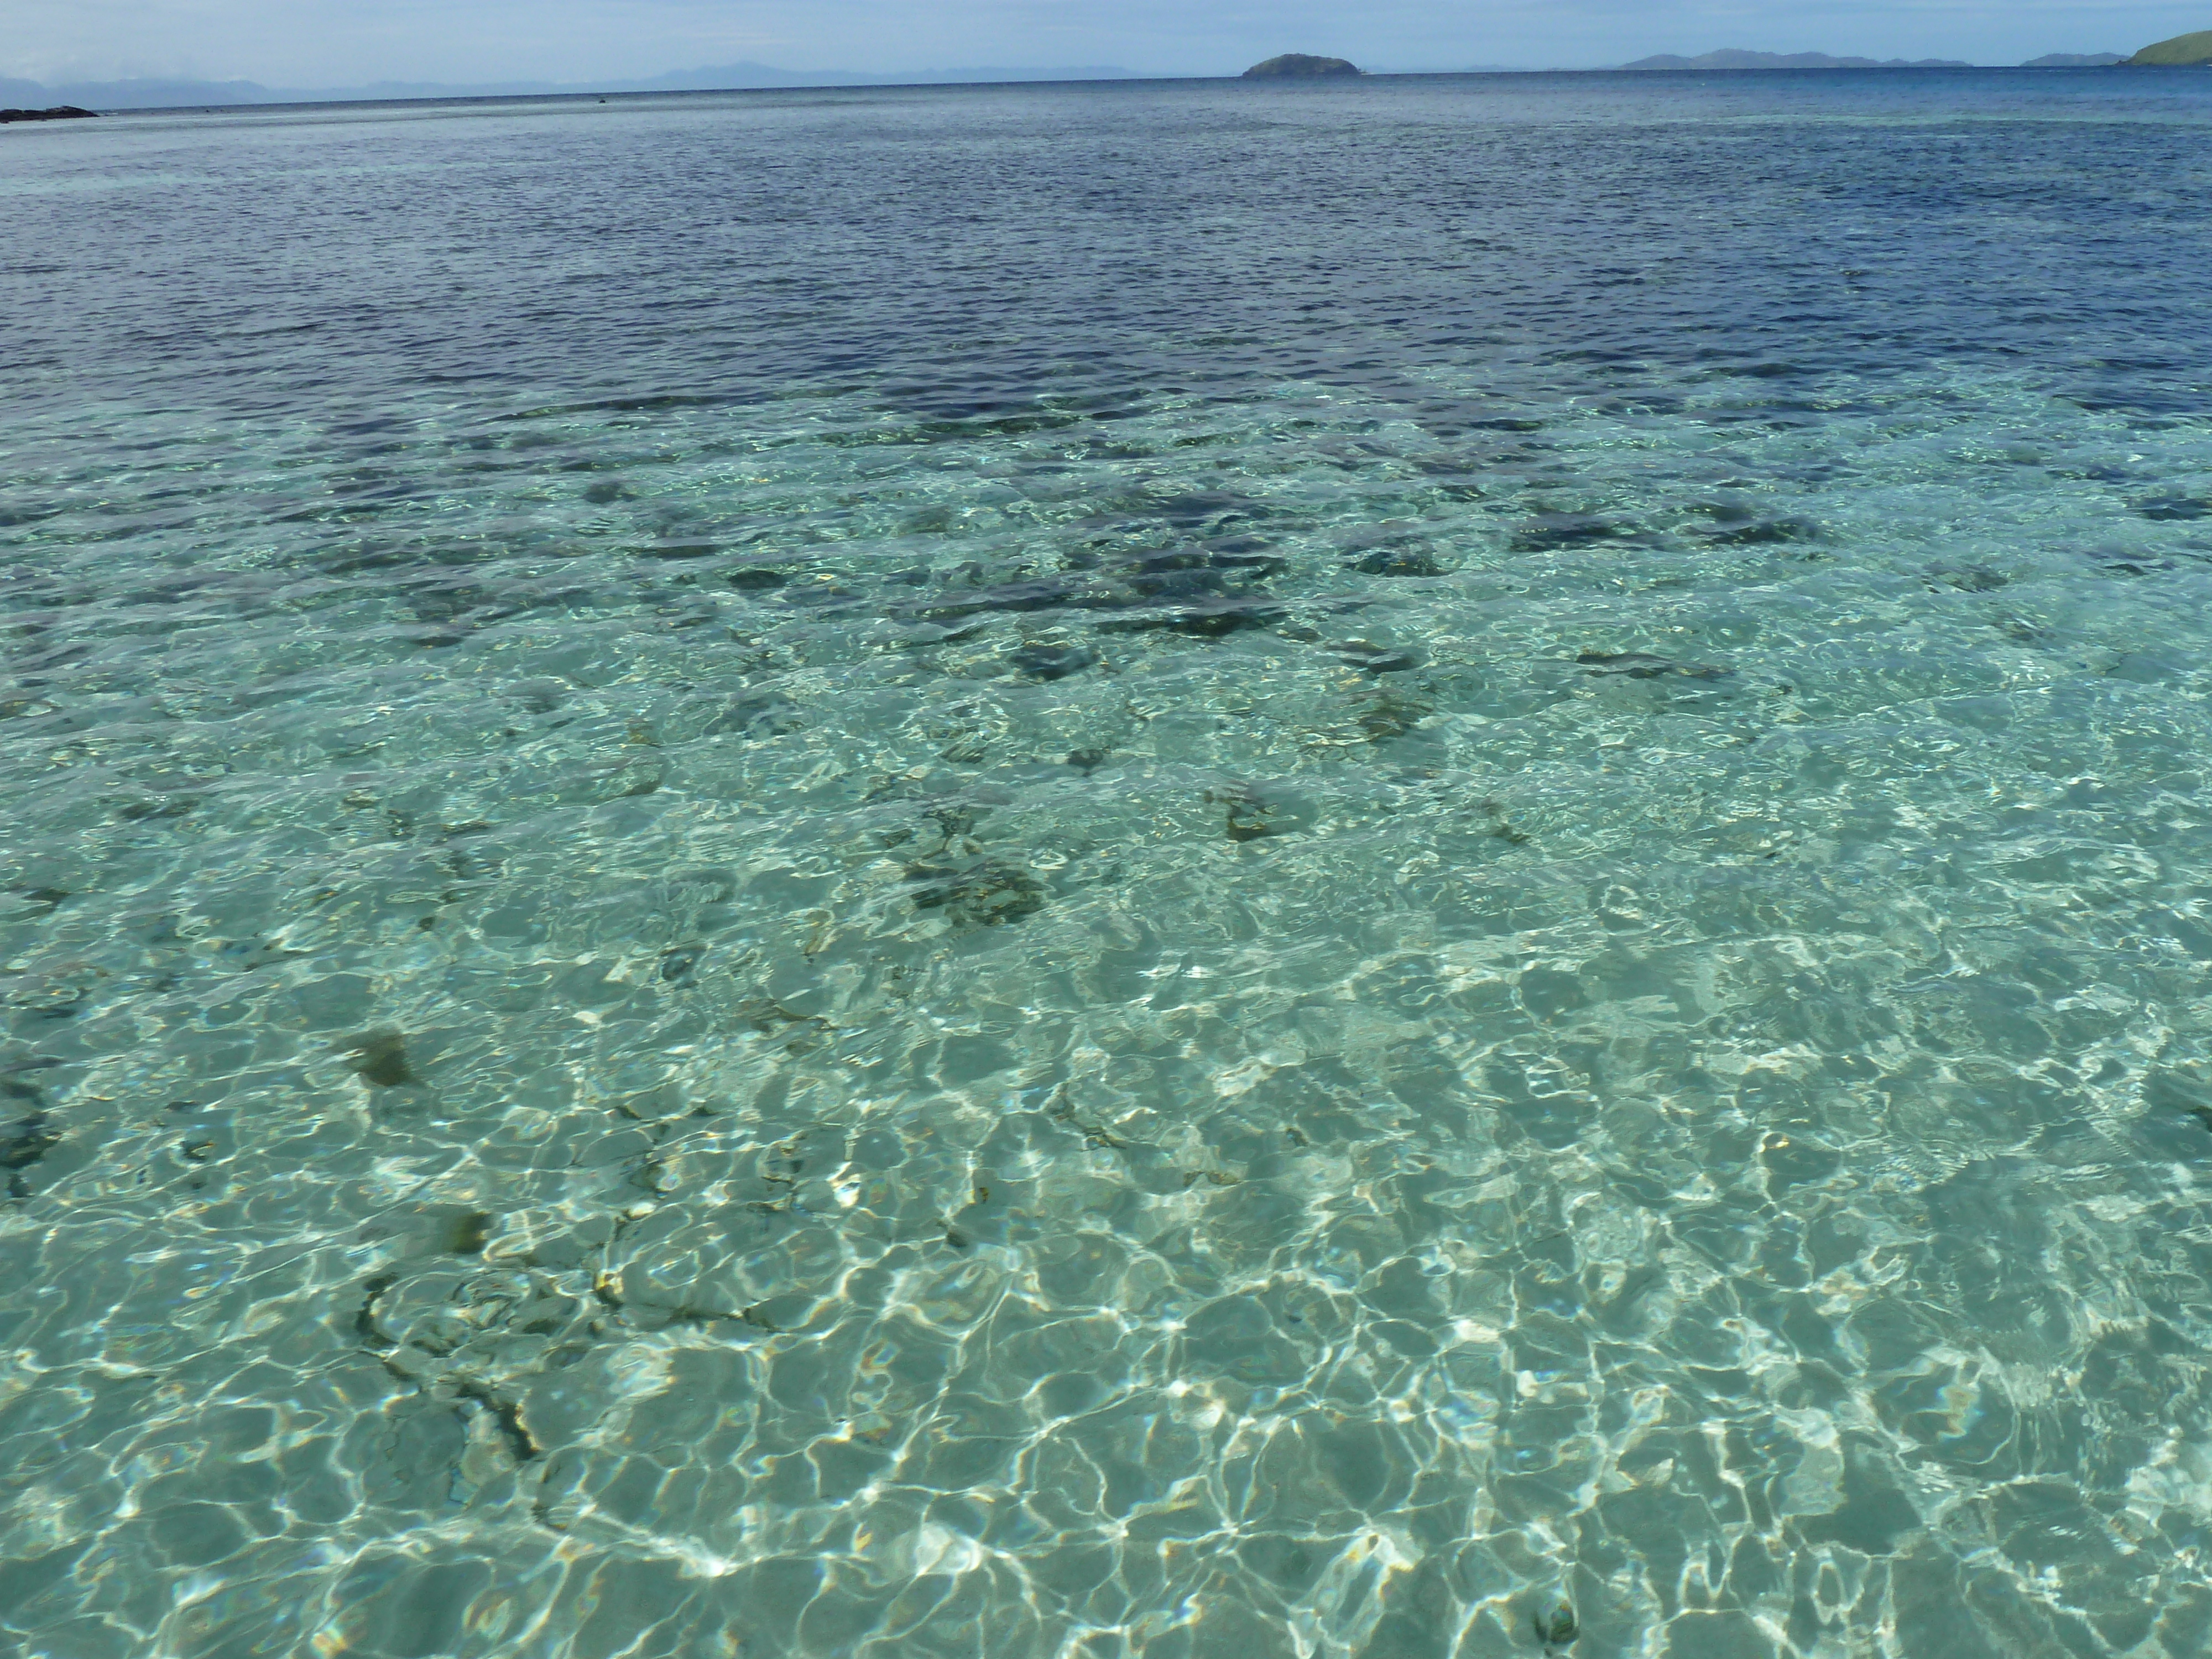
[{"x": 348, "y": 43}]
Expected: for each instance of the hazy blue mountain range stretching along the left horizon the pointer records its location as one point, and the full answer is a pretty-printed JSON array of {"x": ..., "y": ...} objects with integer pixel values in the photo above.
[{"x": 202, "y": 94}]
